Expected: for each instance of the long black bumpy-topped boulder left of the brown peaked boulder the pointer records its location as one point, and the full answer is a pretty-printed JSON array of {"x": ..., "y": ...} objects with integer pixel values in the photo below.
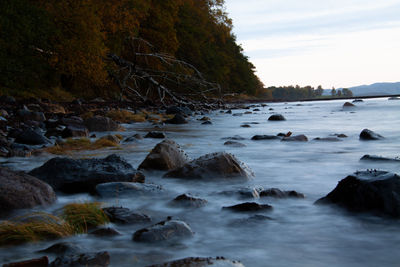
[{"x": 82, "y": 175}]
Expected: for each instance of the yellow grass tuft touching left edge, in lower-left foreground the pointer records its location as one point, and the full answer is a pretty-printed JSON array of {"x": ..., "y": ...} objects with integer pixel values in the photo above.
[{"x": 42, "y": 226}]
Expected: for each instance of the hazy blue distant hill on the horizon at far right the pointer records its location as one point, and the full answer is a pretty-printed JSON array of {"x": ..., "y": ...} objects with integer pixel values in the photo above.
[{"x": 373, "y": 89}]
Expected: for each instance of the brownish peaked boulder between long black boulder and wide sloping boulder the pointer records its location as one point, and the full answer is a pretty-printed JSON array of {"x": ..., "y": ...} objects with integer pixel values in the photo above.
[{"x": 166, "y": 155}]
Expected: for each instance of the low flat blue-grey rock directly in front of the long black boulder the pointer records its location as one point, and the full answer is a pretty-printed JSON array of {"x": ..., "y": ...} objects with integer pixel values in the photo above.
[{"x": 124, "y": 189}]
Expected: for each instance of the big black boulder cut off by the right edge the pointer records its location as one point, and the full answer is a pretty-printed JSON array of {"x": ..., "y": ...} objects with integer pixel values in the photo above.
[{"x": 377, "y": 192}]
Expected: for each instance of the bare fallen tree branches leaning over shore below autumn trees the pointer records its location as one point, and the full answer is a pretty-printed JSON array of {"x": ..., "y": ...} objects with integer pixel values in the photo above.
[{"x": 159, "y": 77}]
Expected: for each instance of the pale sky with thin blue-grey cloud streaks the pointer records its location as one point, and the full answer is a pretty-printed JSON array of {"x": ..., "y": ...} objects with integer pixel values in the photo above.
[{"x": 333, "y": 43}]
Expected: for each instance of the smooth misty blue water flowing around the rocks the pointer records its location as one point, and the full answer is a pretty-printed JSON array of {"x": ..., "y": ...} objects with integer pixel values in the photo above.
[{"x": 300, "y": 234}]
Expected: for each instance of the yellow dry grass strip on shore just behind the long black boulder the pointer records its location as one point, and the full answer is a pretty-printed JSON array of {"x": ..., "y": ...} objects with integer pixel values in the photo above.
[{"x": 71, "y": 145}]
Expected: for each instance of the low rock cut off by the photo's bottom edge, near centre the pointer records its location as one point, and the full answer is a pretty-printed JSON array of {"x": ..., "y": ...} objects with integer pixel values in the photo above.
[{"x": 200, "y": 262}]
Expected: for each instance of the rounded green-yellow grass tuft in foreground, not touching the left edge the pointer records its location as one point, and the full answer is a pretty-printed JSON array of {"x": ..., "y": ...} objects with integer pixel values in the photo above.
[{"x": 84, "y": 216}]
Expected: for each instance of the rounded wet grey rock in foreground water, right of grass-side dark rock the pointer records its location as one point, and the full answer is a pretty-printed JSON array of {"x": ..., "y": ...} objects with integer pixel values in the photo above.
[{"x": 163, "y": 231}]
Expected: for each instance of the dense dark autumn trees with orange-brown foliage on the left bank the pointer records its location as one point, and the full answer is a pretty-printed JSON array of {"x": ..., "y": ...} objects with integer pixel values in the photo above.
[{"x": 47, "y": 44}]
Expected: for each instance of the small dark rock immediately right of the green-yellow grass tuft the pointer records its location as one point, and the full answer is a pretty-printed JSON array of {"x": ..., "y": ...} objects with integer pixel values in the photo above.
[{"x": 125, "y": 216}]
